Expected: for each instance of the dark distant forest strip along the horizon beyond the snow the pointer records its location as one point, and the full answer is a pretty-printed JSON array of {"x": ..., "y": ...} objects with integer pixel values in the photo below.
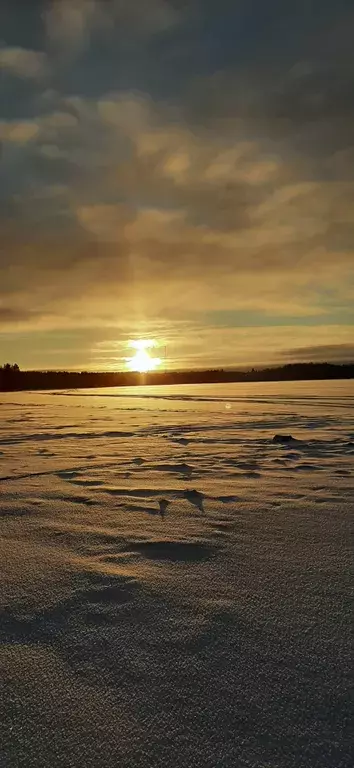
[{"x": 13, "y": 379}]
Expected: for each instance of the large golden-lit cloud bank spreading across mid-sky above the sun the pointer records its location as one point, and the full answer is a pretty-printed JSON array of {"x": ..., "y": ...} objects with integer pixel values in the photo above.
[{"x": 121, "y": 217}]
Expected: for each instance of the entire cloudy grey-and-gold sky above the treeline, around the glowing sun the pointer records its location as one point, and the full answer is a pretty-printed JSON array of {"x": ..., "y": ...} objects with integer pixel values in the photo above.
[{"x": 178, "y": 171}]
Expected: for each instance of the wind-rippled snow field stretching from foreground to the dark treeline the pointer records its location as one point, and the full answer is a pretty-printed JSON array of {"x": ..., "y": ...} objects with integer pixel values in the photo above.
[{"x": 175, "y": 585}]
